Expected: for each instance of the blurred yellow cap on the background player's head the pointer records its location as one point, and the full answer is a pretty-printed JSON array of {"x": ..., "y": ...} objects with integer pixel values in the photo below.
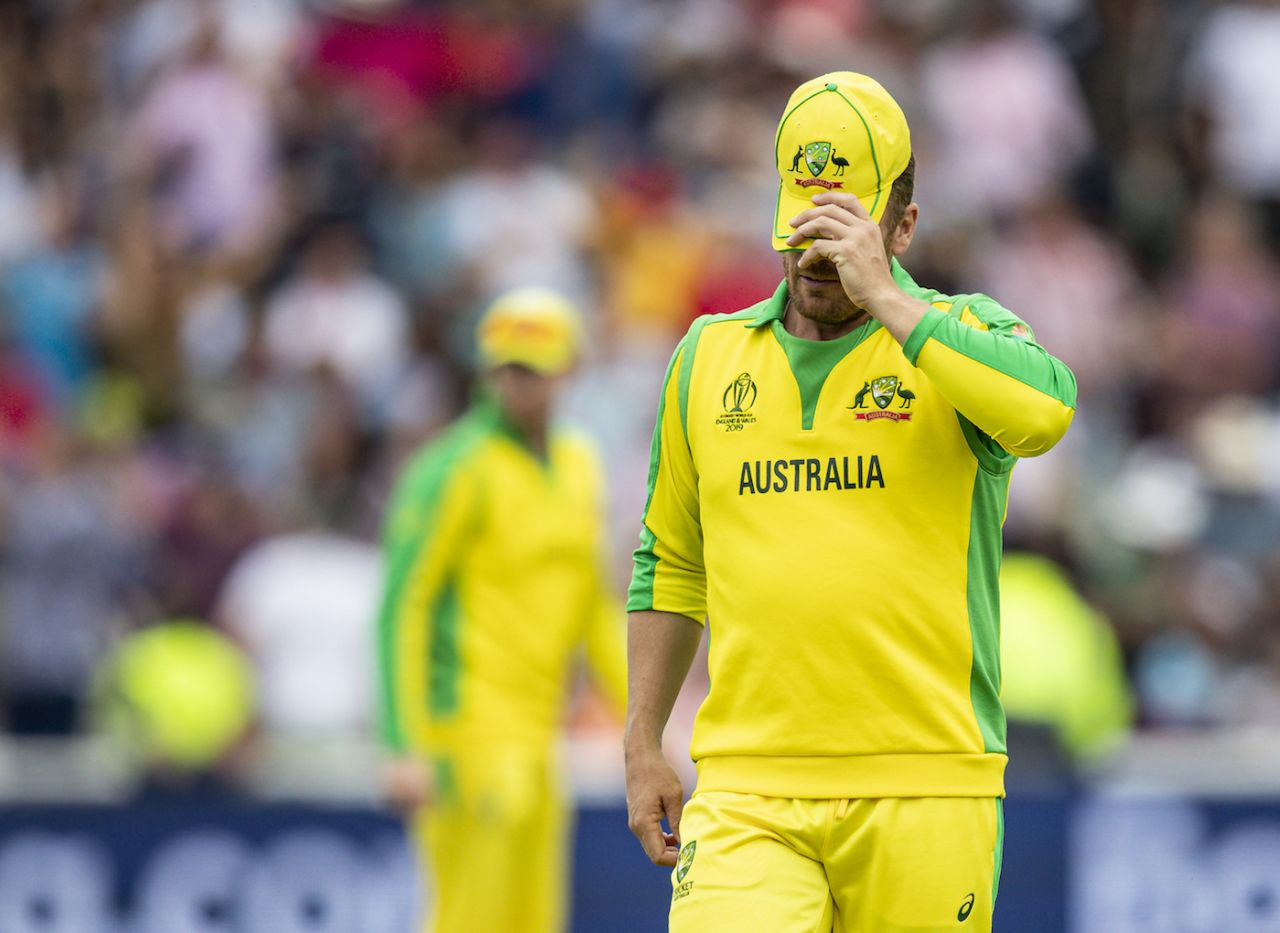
[{"x": 533, "y": 327}]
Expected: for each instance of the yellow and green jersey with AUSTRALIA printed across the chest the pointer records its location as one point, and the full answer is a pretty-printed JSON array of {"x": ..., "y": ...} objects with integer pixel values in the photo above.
[{"x": 834, "y": 511}]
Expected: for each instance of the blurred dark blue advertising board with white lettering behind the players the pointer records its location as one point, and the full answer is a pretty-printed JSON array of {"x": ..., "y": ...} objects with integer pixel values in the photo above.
[{"x": 1092, "y": 865}]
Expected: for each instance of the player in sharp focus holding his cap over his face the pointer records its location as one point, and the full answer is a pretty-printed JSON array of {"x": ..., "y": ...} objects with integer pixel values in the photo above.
[{"x": 828, "y": 487}]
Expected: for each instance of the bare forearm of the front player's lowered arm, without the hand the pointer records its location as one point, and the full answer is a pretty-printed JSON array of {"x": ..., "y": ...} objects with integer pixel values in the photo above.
[{"x": 661, "y": 648}]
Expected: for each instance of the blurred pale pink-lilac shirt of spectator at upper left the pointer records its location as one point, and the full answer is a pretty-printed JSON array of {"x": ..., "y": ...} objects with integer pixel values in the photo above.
[{"x": 214, "y": 132}]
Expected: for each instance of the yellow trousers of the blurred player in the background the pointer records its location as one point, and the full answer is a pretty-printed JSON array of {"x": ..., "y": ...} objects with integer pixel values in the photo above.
[{"x": 495, "y": 841}]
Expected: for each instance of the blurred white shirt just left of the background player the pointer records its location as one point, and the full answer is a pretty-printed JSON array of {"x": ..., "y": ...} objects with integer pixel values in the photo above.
[{"x": 305, "y": 606}]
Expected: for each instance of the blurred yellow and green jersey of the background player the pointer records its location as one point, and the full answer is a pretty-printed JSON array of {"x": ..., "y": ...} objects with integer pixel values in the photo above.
[{"x": 495, "y": 583}]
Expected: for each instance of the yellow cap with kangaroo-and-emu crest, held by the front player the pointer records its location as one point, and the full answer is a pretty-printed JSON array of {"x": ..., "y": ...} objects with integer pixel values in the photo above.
[{"x": 840, "y": 132}]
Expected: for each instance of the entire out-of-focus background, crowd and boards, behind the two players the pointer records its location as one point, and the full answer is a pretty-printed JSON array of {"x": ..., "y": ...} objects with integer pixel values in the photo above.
[{"x": 243, "y": 249}]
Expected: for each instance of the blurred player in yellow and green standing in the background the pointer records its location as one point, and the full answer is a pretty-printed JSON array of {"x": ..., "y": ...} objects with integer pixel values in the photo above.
[{"x": 496, "y": 579}]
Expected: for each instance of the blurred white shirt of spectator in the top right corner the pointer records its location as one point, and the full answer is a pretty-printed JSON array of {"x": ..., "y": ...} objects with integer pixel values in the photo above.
[{"x": 1232, "y": 74}]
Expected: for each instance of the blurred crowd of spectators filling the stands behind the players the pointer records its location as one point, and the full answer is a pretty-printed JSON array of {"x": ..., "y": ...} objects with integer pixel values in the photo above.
[{"x": 244, "y": 246}]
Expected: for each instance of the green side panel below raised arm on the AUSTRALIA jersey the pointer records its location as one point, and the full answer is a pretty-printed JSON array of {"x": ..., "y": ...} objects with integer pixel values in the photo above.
[{"x": 990, "y": 496}]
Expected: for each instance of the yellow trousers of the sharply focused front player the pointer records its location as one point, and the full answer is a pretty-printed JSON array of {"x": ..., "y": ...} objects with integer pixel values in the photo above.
[{"x": 752, "y": 865}]
